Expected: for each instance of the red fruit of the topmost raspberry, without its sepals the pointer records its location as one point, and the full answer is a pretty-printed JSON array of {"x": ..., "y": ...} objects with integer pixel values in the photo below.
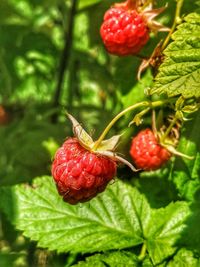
[{"x": 124, "y": 31}]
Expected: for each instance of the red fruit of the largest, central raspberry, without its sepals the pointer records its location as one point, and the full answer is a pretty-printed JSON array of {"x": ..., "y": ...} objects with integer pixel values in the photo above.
[{"x": 80, "y": 174}]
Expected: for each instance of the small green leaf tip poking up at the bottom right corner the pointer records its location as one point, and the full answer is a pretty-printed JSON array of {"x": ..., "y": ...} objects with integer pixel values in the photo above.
[{"x": 184, "y": 258}]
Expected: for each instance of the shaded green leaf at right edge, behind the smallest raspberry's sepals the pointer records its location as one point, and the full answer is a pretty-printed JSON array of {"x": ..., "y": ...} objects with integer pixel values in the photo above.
[{"x": 185, "y": 173}]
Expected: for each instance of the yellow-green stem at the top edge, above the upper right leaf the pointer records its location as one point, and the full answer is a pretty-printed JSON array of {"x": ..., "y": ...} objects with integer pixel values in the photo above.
[{"x": 177, "y": 20}]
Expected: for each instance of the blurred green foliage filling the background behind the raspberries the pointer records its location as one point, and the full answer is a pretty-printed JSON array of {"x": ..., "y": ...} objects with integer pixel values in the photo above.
[{"x": 94, "y": 87}]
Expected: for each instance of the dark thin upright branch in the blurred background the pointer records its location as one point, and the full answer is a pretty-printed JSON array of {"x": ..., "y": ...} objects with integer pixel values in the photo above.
[{"x": 65, "y": 57}]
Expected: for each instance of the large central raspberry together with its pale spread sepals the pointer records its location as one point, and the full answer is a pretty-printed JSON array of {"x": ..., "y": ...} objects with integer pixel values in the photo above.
[{"x": 82, "y": 168}]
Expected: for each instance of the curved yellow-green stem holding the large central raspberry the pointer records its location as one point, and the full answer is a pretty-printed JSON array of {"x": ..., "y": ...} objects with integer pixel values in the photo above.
[{"x": 131, "y": 108}]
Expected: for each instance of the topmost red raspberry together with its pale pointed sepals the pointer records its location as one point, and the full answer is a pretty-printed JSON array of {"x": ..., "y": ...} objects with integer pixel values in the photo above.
[{"x": 125, "y": 29}]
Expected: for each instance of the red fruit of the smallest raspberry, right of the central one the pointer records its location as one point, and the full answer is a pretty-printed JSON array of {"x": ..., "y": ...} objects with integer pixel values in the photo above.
[{"x": 147, "y": 153}]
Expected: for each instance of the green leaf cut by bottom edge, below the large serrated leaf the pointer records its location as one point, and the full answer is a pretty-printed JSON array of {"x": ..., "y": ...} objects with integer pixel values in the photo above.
[{"x": 112, "y": 259}]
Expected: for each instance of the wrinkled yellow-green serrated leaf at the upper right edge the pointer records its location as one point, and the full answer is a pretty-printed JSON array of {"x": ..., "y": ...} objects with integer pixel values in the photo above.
[{"x": 180, "y": 72}]
